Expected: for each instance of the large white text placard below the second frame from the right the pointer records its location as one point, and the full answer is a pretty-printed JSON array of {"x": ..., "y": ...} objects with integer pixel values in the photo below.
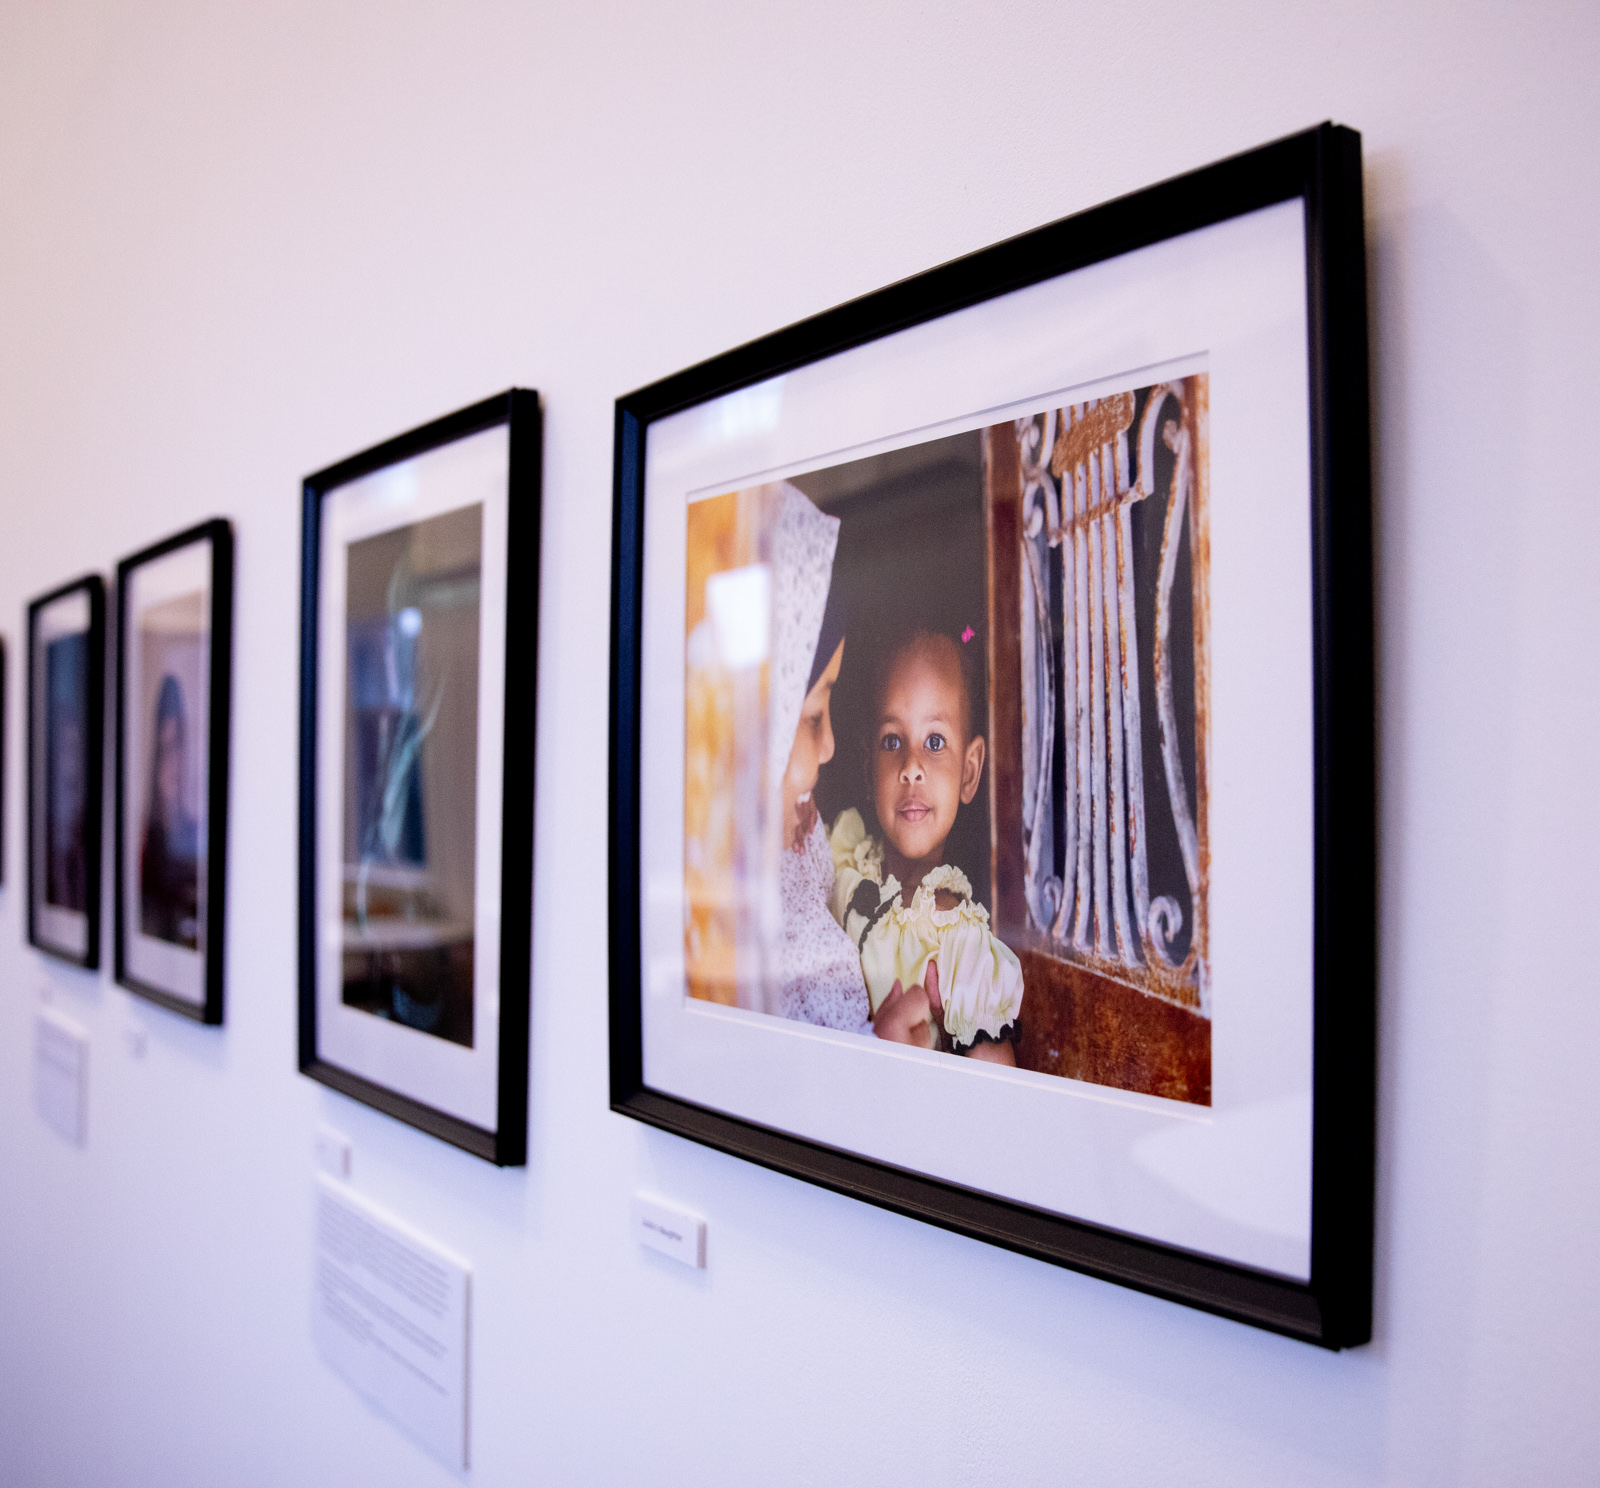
[{"x": 391, "y": 1314}]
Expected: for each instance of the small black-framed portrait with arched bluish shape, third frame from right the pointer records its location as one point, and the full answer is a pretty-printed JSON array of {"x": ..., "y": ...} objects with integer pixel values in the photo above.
[{"x": 175, "y": 623}]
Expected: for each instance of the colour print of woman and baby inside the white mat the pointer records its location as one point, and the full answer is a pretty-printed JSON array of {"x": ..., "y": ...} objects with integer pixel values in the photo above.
[{"x": 946, "y": 713}]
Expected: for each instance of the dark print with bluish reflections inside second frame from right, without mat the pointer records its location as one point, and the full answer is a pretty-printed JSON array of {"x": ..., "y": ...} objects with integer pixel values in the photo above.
[{"x": 410, "y": 772}]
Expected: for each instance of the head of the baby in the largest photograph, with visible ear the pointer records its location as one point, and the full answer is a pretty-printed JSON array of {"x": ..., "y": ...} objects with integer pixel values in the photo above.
[{"x": 924, "y": 767}]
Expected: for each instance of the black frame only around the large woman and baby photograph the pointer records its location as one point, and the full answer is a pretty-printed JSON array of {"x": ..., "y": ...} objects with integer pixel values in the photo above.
[{"x": 1321, "y": 169}]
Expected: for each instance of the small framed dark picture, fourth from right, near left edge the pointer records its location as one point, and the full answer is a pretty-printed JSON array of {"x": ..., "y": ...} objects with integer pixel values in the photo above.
[{"x": 66, "y": 692}]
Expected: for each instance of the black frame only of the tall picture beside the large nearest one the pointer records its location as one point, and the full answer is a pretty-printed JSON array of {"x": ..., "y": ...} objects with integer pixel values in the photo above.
[{"x": 519, "y": 412}]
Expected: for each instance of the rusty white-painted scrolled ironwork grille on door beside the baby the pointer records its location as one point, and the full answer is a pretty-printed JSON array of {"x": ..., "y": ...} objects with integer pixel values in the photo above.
[{"x": 1081, "y": 642}]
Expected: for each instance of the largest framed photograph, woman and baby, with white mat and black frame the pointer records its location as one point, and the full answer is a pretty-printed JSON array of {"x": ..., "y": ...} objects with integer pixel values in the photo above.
[{"x": 993, "y": 746}]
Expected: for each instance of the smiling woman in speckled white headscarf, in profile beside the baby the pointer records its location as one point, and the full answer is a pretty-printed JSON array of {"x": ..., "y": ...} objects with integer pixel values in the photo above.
[{"x": 818, "y": 966}]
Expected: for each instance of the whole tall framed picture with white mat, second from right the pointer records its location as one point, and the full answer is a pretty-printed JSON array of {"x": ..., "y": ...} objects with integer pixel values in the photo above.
[{"x": 418, "y": 686}]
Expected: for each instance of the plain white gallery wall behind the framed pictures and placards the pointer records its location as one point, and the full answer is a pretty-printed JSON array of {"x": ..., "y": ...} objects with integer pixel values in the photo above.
[{"x": 241, "y": 242}]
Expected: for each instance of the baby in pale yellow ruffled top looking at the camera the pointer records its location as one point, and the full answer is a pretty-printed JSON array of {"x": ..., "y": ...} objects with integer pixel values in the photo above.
[{"x": 913, "y": 914}]
